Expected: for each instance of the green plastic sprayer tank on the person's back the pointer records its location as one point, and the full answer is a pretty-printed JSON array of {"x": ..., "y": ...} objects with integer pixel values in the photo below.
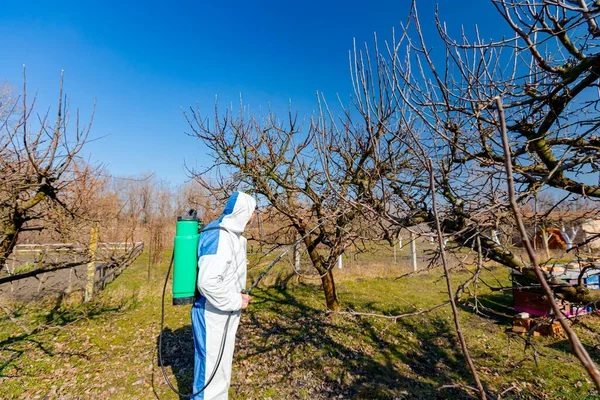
[{"x": 186, "y": 258}]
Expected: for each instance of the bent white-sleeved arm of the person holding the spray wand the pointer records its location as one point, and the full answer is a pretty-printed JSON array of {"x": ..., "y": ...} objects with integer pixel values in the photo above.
[{"x": 212, "y": 270}]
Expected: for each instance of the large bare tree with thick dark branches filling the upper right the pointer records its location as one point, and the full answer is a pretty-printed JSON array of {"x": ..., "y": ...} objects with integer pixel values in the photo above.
[{"x": 416, "y": 108}]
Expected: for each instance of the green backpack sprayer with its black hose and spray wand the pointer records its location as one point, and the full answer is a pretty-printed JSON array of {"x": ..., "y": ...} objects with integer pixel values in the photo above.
[{"x": 185, "y": 262}]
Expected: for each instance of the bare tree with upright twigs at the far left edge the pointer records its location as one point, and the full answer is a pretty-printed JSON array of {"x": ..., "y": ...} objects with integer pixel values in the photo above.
[{"x": 38, "y": 166}]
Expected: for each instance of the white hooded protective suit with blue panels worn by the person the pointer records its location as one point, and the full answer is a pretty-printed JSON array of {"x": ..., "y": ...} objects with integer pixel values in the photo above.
[{"x": 221, "y": 279}]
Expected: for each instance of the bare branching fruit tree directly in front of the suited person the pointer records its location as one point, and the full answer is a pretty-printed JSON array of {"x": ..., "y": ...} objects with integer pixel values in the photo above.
[{"x": 278, "y": 161}]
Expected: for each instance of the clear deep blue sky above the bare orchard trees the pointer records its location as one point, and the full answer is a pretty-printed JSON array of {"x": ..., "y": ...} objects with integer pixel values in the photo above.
[{"x": 143, "y": 61}]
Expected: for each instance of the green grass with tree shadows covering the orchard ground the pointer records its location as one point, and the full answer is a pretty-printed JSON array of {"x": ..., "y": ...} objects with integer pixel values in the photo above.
[{"x": 288, "y": 346}]
